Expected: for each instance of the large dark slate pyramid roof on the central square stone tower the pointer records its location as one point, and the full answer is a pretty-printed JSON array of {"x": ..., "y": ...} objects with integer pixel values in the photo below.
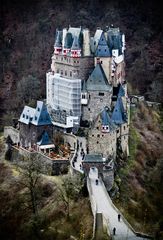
[{"x": 97, "y": 81}]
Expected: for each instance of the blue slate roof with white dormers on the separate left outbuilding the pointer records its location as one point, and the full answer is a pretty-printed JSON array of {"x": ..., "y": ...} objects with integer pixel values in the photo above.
[{"x": 37, "y": 116}]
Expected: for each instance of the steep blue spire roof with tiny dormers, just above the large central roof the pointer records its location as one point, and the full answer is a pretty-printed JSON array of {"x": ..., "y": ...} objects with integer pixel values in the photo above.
[{"x": 102, "y": 49}]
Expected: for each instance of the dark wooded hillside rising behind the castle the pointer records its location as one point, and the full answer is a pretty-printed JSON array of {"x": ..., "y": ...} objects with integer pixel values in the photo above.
[{"x": 28, "y": 29}]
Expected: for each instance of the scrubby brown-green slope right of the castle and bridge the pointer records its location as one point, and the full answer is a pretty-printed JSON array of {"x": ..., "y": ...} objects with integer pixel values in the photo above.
[{"x": 140, "y": 179}]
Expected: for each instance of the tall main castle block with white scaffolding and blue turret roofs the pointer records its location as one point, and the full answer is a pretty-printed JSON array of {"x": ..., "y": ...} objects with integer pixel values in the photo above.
[{"x": 86, "y": 87}]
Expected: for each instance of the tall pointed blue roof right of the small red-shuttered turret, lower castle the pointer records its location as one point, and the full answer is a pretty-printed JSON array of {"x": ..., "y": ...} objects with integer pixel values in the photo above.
[{"x": 118, "y": 115}]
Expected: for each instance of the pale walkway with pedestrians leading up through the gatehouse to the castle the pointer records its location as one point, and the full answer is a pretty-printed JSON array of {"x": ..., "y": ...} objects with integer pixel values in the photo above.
[{"x": 103, "y": 202}]
